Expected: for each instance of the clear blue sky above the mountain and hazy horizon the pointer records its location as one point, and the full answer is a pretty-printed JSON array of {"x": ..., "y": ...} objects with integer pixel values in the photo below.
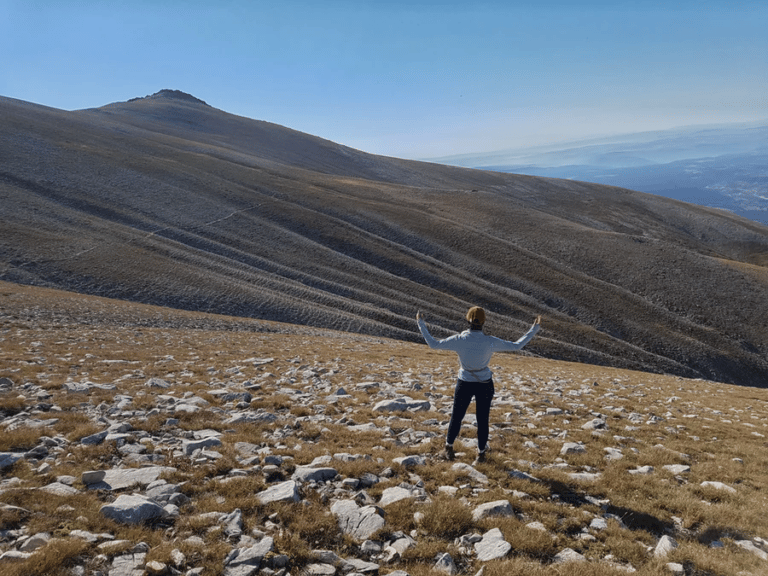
[{"x": 415, "y": 78}]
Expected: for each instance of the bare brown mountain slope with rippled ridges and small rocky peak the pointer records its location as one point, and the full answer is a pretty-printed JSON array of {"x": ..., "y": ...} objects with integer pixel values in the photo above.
[{"x": 169, "y": 201}]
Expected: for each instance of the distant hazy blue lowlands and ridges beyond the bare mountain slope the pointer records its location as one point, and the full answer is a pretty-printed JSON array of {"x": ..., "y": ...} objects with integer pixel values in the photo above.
[{"x": 720, "y": 166}]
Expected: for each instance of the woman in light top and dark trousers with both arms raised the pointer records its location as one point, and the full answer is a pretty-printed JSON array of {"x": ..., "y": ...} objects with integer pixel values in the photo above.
[{"x": 475, "y": 379}]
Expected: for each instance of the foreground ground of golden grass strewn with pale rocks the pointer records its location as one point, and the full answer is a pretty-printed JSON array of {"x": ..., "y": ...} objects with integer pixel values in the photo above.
[{"x": 137, "y": 440}]
